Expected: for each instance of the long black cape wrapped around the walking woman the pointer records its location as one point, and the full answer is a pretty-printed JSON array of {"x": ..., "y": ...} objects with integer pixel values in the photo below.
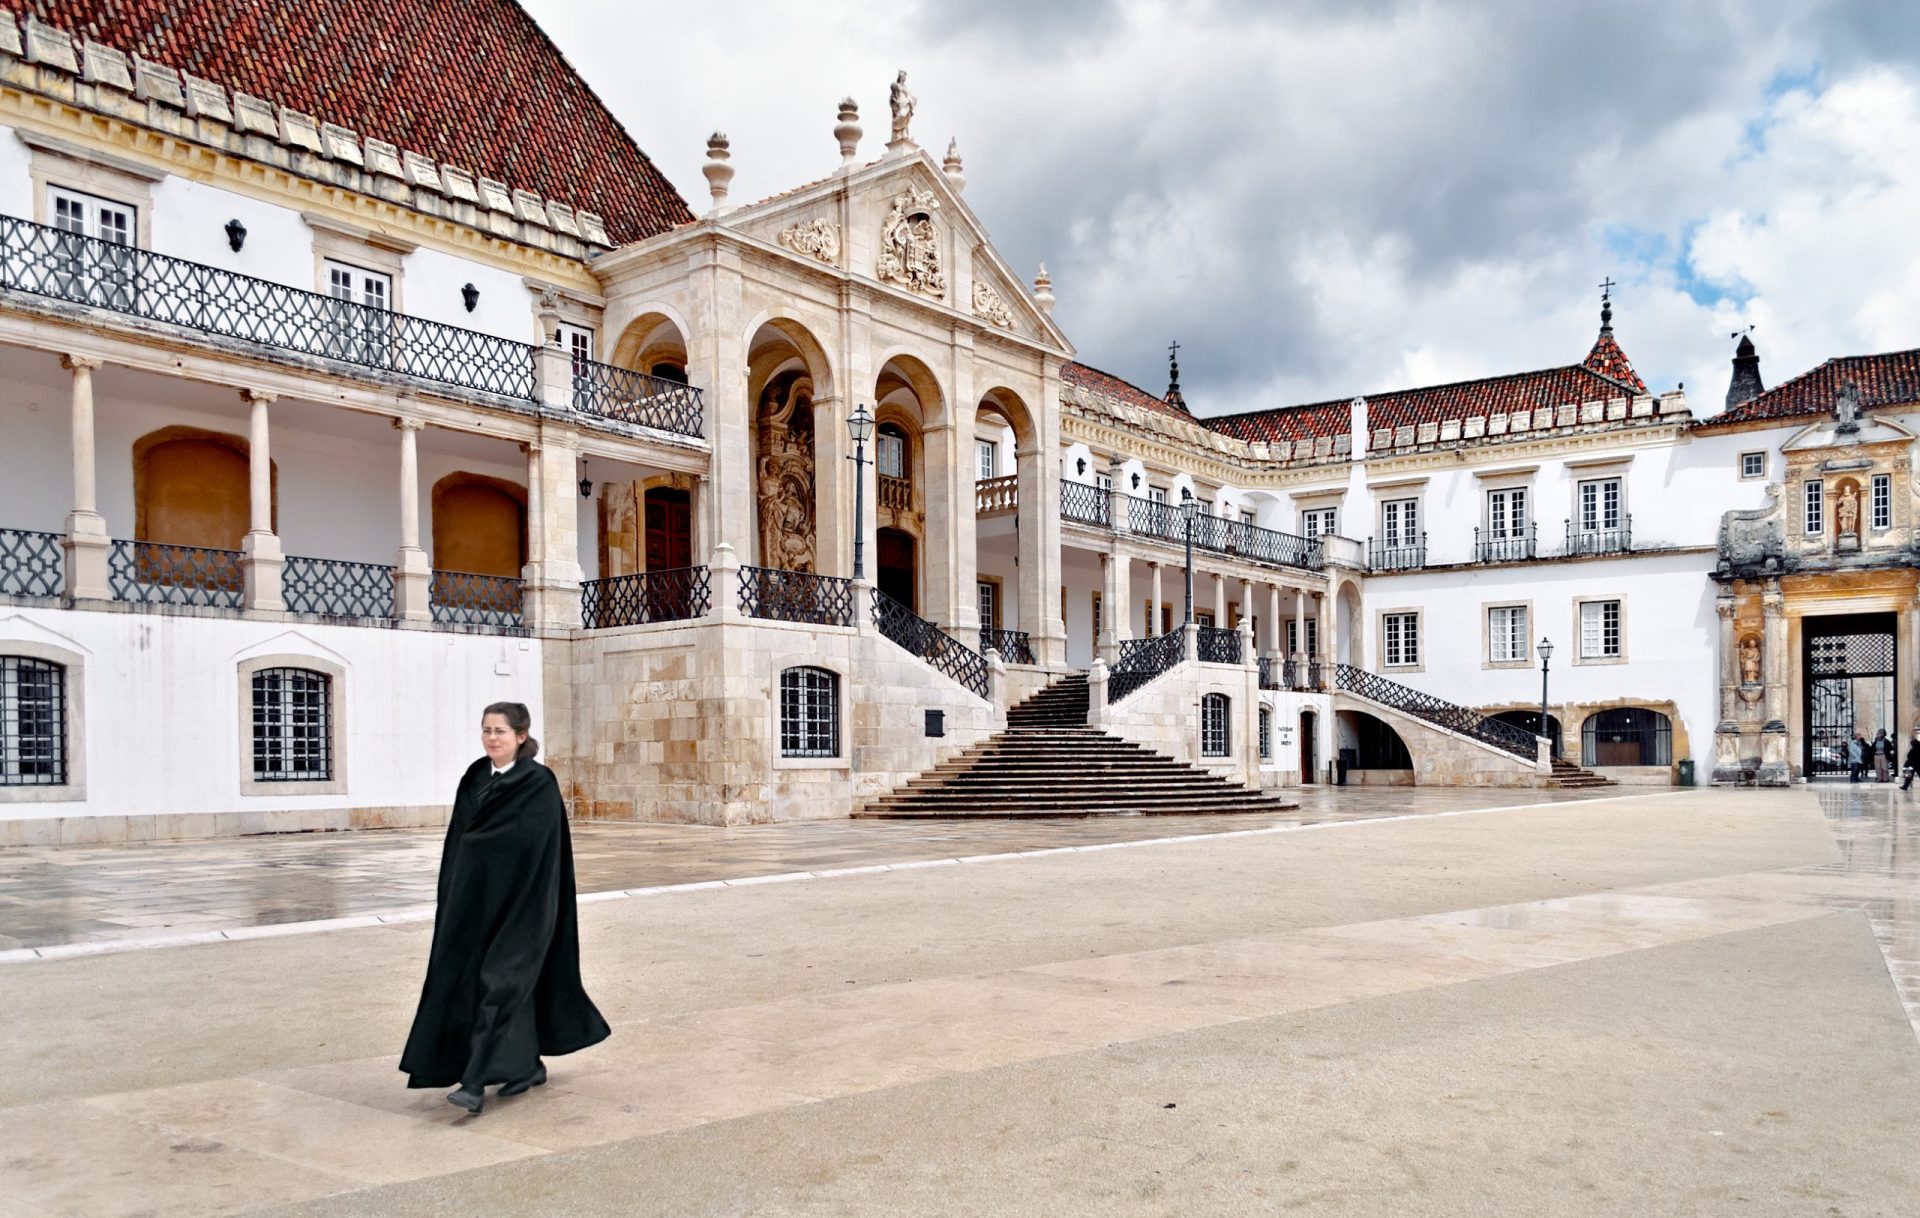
[{"x": 504, "y": 977}]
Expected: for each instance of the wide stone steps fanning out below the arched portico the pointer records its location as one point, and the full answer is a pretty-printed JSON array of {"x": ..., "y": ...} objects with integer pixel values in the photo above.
[{"x": 1051, "y": 764}]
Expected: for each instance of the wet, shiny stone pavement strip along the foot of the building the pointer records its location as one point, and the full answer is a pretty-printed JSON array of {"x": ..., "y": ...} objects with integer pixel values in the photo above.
[{"x": 164, "y": 890}]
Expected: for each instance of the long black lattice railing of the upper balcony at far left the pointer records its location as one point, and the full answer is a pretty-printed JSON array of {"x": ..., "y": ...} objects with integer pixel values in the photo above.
[{"x": 108, "y": 276}]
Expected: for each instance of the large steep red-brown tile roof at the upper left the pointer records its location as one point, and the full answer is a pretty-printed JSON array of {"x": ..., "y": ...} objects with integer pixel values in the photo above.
[{"x": 473, "y": 84}]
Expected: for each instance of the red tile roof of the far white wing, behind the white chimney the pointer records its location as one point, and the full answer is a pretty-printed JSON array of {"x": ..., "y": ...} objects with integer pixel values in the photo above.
[{"x": 1431, "y": 404}]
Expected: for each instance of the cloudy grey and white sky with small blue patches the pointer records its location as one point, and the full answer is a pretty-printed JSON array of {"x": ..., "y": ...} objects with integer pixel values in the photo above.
[{"x": 1353, "y": 195}]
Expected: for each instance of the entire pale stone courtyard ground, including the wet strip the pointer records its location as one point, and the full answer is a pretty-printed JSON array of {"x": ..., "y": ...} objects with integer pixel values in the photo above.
[{"x": 1668, "y": 1004}]
